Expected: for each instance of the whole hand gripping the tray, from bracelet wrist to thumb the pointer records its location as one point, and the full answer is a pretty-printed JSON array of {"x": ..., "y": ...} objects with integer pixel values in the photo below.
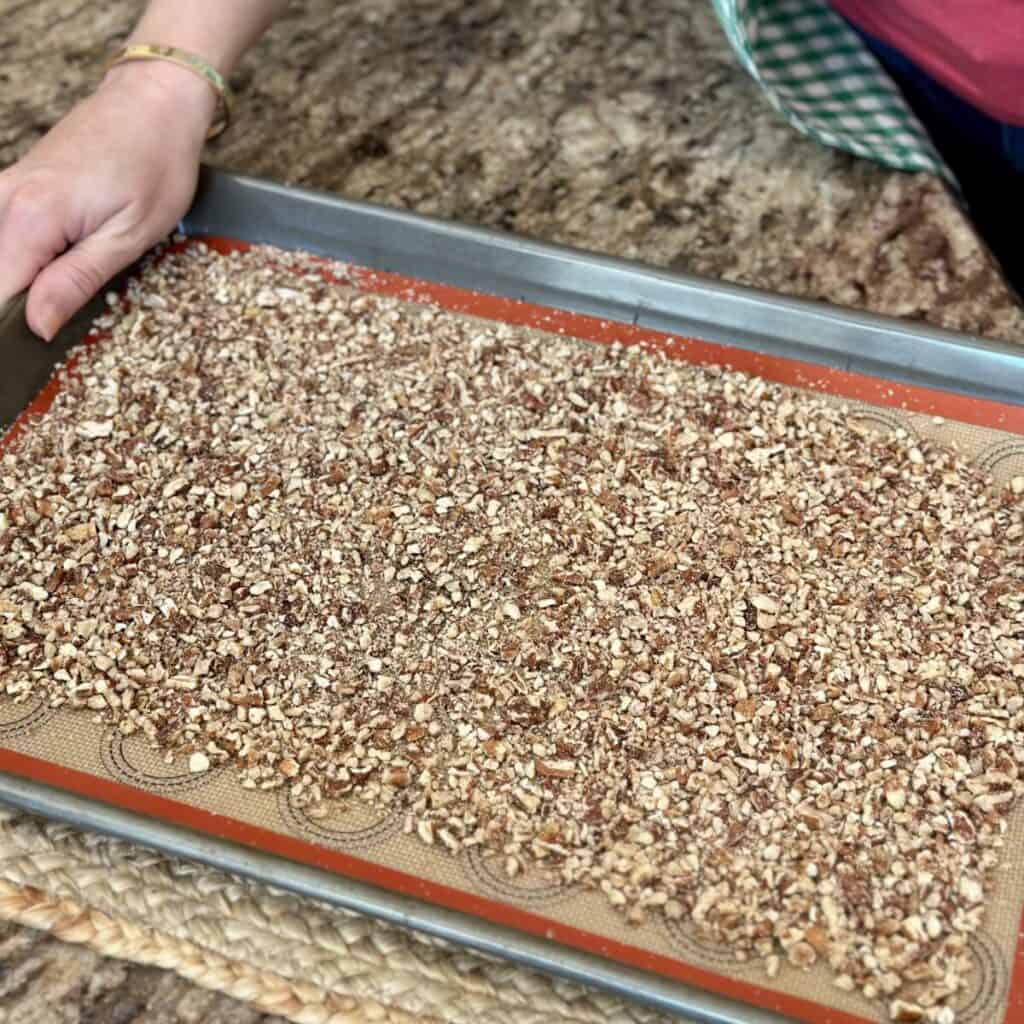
[{"x": 104, "y": 186}]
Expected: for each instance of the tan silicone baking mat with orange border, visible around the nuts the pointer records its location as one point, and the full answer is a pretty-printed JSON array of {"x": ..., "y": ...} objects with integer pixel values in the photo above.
[{"x": 70, "y": 751}]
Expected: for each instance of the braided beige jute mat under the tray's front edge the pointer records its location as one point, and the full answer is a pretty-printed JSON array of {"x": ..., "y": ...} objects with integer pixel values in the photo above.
[{"x": 303, "y": 960}]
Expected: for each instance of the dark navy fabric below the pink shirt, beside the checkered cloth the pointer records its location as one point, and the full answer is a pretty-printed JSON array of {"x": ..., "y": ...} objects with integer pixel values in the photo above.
[{"x": 987, "y": 156}]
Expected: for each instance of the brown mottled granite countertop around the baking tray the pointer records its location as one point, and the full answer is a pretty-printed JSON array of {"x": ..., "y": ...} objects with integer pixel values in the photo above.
[{"x": 623, "y": 127}]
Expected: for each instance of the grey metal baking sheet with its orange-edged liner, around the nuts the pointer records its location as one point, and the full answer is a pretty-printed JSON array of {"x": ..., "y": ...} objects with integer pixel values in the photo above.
[{"x": 628, "y": 301}]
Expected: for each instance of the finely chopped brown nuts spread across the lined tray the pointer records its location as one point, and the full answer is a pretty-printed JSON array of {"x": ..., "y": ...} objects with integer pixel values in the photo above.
[{"x": 684, "y": 635}]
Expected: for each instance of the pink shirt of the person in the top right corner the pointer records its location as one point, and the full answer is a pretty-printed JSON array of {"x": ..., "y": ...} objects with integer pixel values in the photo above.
[{"x": 974, "y": 48}]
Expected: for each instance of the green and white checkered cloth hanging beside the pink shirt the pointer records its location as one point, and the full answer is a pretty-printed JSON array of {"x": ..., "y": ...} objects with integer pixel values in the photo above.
[{"x": 820, "y": 76}]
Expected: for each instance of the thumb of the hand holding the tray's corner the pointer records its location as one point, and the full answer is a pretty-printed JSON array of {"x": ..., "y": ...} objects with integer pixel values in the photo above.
[{"x": 67, "y": 284}]
